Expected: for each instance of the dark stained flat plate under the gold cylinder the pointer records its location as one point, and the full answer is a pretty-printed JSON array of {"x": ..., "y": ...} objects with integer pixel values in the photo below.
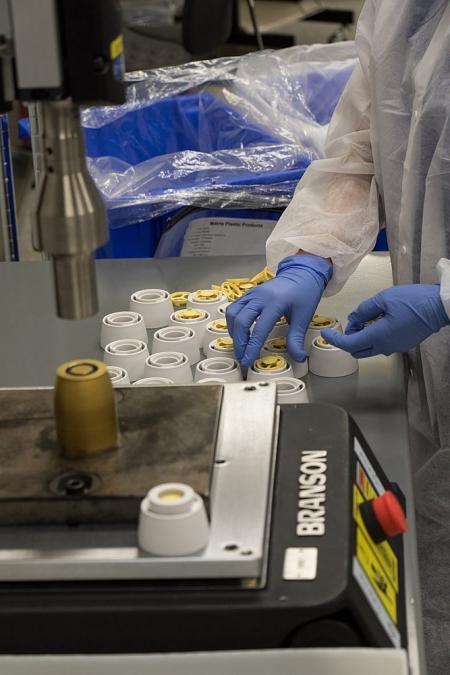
[{"x": 167, "y": 434}]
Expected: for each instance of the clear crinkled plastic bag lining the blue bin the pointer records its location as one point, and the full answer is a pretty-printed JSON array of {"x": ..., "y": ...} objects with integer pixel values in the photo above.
[{"x": 232, "y": 132}]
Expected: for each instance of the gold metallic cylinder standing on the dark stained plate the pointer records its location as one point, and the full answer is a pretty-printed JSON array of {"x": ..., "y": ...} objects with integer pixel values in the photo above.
[{"x": 85, "y": 408}]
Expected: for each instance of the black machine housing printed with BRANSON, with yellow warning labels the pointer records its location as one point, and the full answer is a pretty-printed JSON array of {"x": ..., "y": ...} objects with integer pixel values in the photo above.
[{"x": 336, "y": 608}]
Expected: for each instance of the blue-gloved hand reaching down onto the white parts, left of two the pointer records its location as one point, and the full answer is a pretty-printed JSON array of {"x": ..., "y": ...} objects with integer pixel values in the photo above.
[{"x": 294, "y": 293}]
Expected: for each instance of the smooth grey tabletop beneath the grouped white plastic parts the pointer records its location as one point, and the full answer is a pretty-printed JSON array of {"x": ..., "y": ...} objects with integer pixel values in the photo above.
[{"x": 34, "y": 342}]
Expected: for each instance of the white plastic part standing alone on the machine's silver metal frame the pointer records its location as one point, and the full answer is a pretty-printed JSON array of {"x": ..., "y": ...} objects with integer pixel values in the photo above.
[{"x": 172, "y": 521}]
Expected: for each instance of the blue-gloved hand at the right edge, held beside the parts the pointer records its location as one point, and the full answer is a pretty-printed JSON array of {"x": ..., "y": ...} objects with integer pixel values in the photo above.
[{"x": 403, "y": 317}]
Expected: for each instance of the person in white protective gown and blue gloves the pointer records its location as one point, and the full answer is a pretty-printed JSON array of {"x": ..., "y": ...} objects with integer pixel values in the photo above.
[{"x": 387, "y": 164}]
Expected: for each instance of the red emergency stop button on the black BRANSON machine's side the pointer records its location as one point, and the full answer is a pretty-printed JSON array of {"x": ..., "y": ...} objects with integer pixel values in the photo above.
[{"x": 384, "y": 517}]
